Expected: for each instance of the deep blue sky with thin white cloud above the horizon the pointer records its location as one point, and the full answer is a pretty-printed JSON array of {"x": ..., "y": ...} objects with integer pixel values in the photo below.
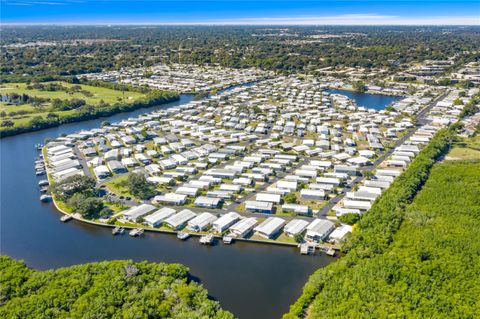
[{"x": 373, "y": 12}]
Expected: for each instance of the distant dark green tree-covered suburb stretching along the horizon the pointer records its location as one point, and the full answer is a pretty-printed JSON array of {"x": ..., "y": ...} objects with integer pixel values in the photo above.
[{"x": 74, "y": 50}]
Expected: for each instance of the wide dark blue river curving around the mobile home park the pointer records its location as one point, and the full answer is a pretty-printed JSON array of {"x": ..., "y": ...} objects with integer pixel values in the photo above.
[{"x": 251, "y": 280}]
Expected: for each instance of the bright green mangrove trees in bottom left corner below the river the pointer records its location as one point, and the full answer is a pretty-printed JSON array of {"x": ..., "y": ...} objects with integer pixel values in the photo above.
[{"x": 113, "y": 289}]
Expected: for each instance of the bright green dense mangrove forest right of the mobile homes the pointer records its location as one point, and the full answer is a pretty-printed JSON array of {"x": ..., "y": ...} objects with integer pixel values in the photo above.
[{"x": 416, "y": 259}]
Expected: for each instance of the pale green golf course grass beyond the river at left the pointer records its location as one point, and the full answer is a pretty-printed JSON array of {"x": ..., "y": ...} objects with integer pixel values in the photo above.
[{"x": 95, "y": 97}]
